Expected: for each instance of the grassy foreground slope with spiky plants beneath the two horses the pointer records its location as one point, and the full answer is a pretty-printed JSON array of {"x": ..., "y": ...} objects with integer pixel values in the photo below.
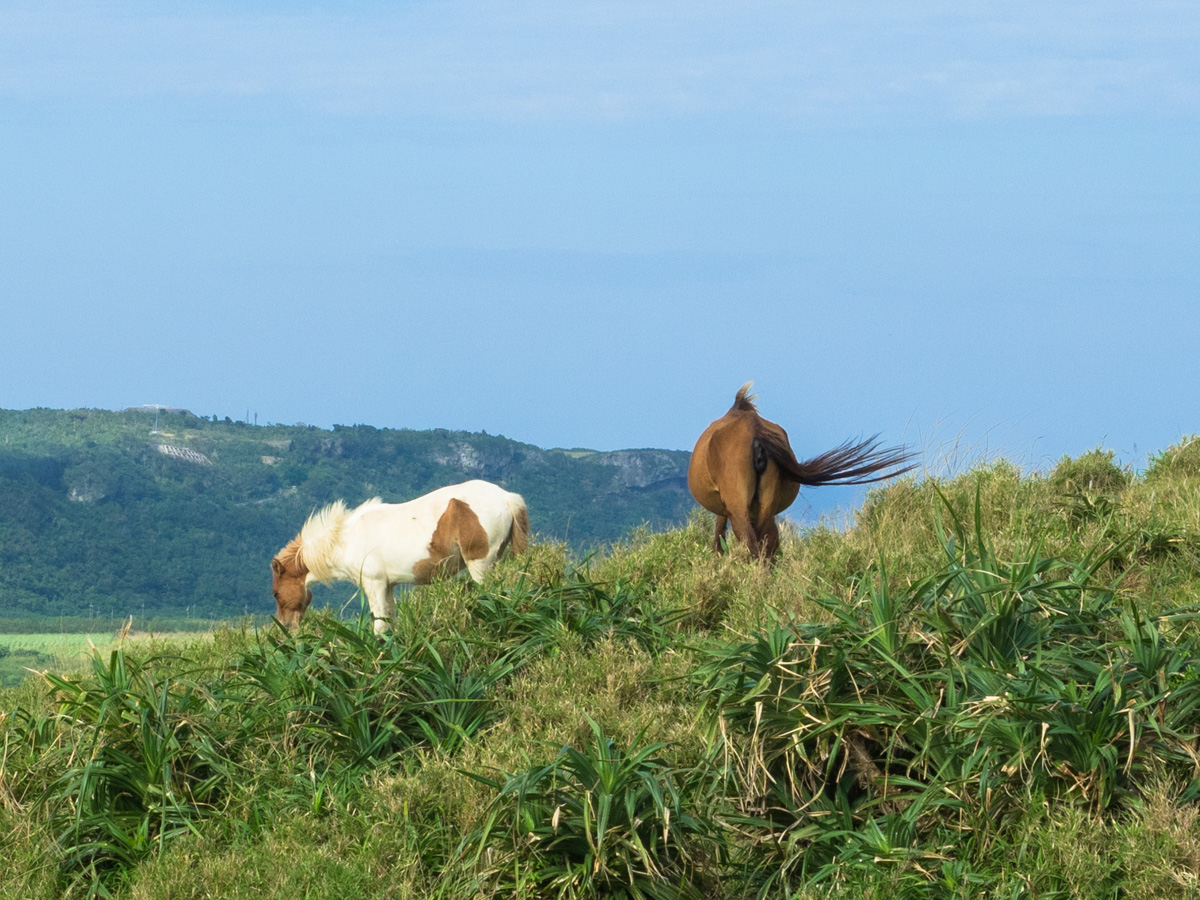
[{"x": 985, "y": 687}]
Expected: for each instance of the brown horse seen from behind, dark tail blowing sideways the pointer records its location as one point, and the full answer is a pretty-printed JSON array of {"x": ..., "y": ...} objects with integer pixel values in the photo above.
[{"x": 745, "y": 470}]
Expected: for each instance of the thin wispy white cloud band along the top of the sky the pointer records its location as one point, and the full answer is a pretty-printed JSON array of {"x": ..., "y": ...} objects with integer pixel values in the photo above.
[{"x": 783, "y": 62}]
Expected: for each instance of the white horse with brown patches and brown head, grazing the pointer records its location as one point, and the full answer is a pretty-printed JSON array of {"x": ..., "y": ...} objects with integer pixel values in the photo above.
[{"x": 380, "y": 545}]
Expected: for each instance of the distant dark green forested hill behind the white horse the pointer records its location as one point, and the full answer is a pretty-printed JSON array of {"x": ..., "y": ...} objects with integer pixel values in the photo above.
[{"x": 101, "y": 514}]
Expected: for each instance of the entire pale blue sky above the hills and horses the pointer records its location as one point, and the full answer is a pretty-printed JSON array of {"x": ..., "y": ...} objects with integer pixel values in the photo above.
[{"x": 973, "y": 227}]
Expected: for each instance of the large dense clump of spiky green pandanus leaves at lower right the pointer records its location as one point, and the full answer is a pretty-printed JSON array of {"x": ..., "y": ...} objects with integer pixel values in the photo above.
[{"x": 925, "y": 715}]
